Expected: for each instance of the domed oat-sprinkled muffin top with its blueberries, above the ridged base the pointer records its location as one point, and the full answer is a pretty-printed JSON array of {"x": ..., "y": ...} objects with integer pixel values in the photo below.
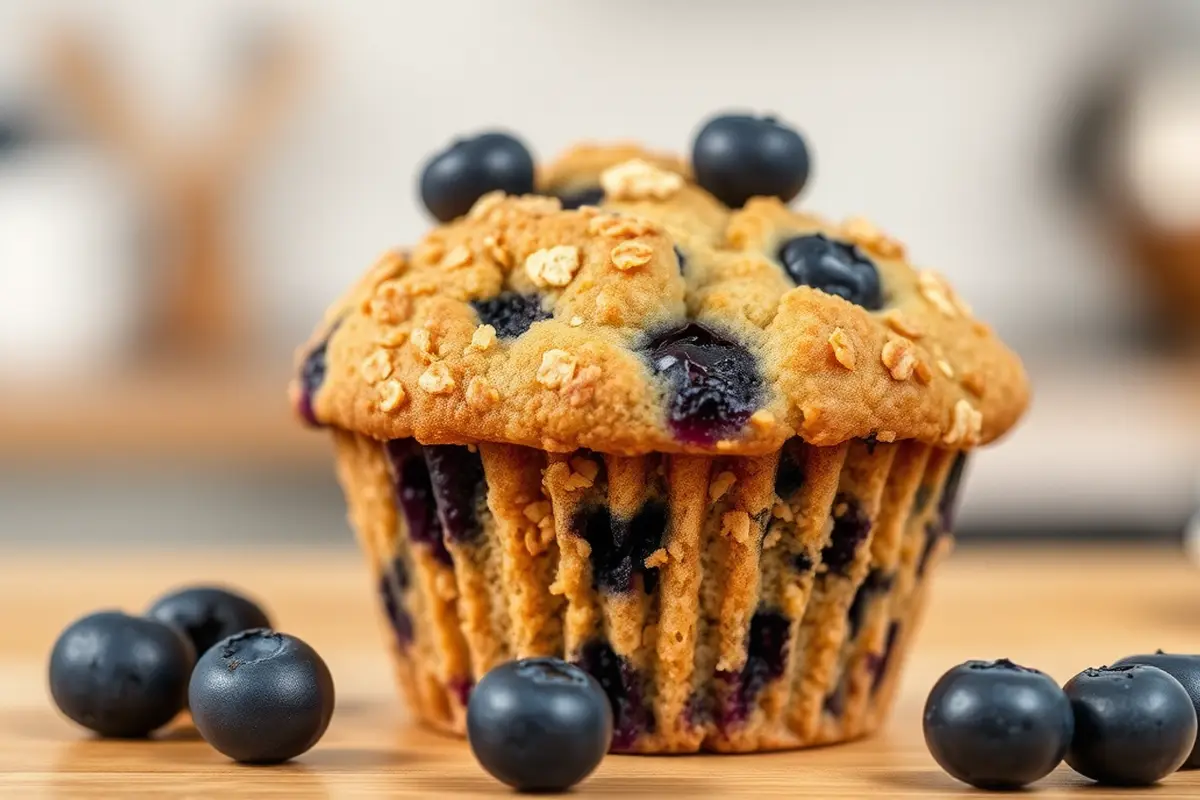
[{"x": 626, "y": 309}]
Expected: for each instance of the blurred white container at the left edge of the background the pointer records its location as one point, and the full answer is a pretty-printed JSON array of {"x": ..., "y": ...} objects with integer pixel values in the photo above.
[{"x": 70, "y": 266}]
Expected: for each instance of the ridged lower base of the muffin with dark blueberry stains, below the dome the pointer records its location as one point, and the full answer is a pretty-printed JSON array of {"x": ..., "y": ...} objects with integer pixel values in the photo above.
[{"x": 725, "y": 604}]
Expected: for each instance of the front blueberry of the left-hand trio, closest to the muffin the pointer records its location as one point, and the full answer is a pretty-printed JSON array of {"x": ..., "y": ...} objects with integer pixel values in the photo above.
[{"x": 261, "y": 697}]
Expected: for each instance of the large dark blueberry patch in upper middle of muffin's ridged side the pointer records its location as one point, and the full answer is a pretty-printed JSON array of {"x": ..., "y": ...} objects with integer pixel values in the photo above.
[{"x": 621, "y": 546}]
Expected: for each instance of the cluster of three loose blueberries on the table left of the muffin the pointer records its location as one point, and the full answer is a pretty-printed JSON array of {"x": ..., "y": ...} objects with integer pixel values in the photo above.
[{"x": 255, "y": 695}]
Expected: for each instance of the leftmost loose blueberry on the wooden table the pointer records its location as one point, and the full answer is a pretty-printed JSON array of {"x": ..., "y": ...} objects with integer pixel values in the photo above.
[{"x": 121, "y": 676}]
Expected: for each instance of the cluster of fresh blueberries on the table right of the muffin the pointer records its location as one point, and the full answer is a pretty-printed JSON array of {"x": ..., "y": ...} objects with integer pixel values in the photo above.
[{"x": 1000, "y": 726}]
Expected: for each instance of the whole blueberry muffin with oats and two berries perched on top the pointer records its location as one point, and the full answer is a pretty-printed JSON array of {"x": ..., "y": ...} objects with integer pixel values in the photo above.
[{"x": 639, "y": 414}]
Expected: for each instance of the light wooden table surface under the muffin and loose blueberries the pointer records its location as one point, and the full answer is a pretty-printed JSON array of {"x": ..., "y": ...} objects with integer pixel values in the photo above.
[{"x": 1057, "y": 610}]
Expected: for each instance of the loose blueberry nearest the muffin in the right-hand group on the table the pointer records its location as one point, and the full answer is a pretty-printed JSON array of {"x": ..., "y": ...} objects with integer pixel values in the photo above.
[{"x": 998, "y": 726}]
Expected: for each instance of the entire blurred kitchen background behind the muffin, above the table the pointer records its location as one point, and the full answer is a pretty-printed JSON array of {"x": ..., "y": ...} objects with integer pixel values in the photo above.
[{"x": 184, "y": 188}]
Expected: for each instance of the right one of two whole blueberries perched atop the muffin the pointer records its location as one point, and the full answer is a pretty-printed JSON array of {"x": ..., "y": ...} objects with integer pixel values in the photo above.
[{"x": 737, "y": 158}]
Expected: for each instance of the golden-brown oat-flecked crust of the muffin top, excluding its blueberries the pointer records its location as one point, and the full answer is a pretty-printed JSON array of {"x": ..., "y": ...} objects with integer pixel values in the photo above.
[{"x": 409, "y": 357}]
